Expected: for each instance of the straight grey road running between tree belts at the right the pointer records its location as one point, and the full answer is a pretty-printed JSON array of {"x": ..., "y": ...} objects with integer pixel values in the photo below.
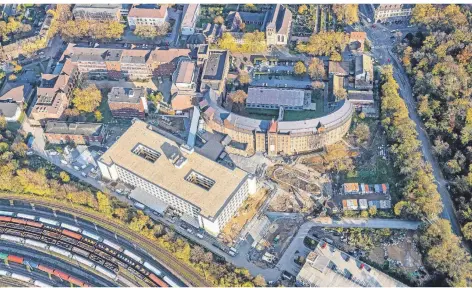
[{"x": 382, "y": 52}]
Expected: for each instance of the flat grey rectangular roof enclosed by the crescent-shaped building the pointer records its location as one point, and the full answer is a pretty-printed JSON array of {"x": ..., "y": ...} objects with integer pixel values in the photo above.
[{"x": 275, "y": 96}]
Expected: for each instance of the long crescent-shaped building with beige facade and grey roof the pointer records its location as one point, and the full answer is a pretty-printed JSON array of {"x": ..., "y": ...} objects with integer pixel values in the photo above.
[{"x": 277, "y": 137}]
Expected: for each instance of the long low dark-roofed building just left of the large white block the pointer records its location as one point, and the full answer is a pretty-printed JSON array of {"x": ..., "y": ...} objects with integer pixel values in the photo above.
[{"x": 57, "y": 132}]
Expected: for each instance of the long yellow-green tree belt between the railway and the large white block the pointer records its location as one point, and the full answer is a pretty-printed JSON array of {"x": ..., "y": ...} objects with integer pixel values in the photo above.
[{"x": 33, "y": 175}]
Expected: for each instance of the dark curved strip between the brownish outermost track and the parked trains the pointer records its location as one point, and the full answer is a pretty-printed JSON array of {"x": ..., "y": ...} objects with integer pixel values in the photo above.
[{"x": 24, "y": 207}]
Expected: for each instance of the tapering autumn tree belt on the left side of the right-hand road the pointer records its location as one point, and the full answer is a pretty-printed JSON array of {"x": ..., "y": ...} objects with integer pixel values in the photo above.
[{"x": 420, "y": 195}]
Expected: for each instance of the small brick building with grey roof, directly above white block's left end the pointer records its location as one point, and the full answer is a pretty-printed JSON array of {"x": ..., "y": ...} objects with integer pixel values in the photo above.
[{"x": 127, "y": 102}]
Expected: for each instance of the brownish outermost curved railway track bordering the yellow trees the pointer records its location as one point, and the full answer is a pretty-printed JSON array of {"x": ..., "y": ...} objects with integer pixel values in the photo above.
[{"x": 168, "y": 260}]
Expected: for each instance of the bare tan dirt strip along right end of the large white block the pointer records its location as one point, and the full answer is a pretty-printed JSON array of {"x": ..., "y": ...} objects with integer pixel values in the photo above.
[{"x": 244, "y": 215}]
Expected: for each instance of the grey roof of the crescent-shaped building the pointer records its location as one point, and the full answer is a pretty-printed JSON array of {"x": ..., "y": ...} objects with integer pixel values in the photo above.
[{"x": 337, "y": 117}]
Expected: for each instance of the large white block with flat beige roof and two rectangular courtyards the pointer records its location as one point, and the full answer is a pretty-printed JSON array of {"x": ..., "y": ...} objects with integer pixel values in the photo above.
[{"x": 204, "y": 191}]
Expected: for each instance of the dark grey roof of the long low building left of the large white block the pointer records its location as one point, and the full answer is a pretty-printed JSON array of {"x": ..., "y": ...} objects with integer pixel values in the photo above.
[{"x": 85, "y": 129}]
